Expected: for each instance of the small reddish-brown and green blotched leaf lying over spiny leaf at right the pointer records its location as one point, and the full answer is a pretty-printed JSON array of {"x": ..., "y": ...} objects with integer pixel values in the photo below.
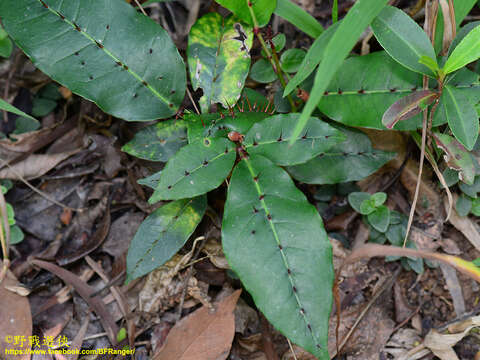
[{"x": 407, "y": 107}]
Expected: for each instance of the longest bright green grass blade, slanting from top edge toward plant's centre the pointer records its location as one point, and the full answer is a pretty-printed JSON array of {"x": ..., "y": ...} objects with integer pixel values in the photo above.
[{"x": 346, "y": 36}]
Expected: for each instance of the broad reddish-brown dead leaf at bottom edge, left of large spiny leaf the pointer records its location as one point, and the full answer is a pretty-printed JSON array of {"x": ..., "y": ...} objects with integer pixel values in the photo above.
[{"x": 202, "y": 335}]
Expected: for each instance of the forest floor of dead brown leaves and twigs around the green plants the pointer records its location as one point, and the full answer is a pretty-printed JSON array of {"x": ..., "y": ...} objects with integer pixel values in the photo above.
[{"x": 74, "y": 162}]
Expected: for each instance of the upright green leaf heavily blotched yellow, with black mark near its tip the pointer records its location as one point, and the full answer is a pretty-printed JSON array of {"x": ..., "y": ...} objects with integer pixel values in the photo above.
[{"x": 219, "y": 58}]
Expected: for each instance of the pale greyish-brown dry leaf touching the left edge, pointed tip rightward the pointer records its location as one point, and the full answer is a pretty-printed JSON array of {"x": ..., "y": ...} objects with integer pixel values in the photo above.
[{"x": 34, "y": 166}]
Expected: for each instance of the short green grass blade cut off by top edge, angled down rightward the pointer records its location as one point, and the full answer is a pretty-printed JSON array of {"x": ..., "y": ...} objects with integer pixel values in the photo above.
[{"x": 295, "y": 15}]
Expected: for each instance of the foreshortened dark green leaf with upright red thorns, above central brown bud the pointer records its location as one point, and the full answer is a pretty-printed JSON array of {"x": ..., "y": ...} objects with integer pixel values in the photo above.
[{"x": 214, "y": 125}]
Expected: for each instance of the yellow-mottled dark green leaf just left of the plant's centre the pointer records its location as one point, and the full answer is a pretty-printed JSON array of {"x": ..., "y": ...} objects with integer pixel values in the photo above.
[{"x": 158, "y": 142}]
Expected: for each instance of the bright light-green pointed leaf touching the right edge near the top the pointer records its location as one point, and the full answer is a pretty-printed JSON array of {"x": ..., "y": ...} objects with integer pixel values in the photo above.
[{"x": 465, "y": 52}]
